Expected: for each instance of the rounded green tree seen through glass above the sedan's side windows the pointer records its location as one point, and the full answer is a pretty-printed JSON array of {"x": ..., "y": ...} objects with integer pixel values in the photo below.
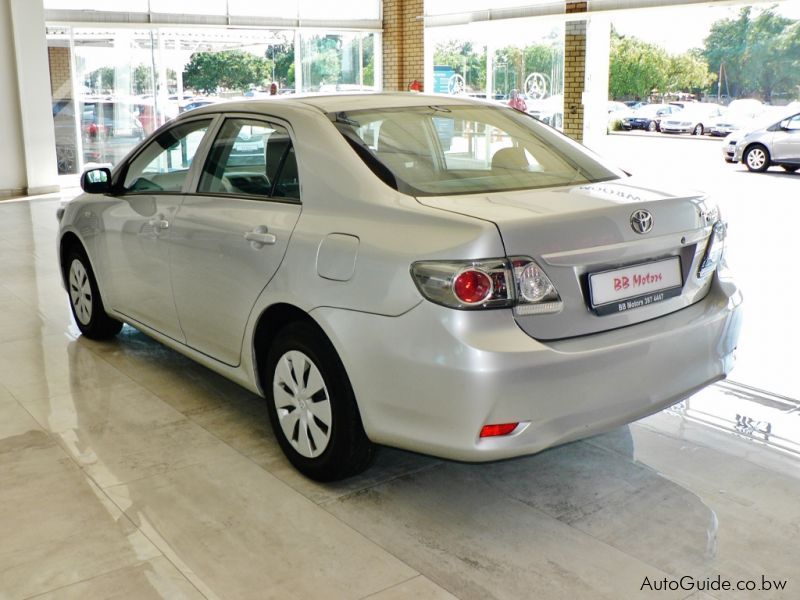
[{"x": 230, "y": 69}]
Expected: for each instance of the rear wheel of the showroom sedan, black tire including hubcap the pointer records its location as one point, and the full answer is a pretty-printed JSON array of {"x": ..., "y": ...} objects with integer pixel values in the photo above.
[{"x": 347, "y": 450}]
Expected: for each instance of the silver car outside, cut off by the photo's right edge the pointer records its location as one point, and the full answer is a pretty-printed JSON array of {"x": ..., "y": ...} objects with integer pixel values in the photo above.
[{"x": 775, "y": 144}]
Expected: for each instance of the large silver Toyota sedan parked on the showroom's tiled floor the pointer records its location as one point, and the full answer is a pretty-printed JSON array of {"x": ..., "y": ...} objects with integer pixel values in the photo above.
[{"x": 438, "y": 274}]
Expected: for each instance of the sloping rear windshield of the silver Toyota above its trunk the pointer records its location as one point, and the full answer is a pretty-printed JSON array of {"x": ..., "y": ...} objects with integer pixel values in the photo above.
[{"x": 445, "y": 150}]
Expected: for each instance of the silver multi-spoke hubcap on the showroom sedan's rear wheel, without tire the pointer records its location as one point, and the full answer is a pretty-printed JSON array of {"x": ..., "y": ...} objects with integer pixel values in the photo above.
[{"x": 303, "y": 404}]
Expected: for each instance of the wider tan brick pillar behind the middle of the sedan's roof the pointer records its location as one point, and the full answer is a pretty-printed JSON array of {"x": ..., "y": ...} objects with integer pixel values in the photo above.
[{"x": 403, "y": 40}]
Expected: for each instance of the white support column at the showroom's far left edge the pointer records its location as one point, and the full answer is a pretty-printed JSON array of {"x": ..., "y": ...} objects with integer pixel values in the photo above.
[{"x": 35, "y": 116}]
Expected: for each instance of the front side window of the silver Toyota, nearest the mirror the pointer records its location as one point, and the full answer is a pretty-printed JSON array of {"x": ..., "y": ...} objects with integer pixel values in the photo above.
[{"x": 164, "y": 163}]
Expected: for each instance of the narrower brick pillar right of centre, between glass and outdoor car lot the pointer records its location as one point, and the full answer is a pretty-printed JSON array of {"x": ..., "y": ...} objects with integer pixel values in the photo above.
[{"x": 574, "y": 72}]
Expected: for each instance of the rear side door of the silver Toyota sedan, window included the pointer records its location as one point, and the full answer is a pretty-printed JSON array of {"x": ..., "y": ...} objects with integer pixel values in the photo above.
[{"x": 231, "y": 234}]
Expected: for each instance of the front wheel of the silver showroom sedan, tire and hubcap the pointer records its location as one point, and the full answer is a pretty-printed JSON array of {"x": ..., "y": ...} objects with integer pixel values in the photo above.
[{"x": 85, "y": 300}]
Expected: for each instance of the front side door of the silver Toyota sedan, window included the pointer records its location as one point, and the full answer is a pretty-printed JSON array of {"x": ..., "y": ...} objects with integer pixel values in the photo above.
[{"x": 137, "y": 227}]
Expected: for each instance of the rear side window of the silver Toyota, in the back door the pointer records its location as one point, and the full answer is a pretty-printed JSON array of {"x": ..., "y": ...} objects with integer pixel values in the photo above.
[{"x": 251, "y": 158}]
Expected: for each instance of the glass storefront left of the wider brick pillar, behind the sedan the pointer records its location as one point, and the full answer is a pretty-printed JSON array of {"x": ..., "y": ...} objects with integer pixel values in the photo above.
[{"x": 112, "y": 86}]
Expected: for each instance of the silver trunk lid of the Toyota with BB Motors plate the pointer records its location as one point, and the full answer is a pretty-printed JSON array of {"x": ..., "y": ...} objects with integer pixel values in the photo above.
[{"x": 577, "y": 232}]
